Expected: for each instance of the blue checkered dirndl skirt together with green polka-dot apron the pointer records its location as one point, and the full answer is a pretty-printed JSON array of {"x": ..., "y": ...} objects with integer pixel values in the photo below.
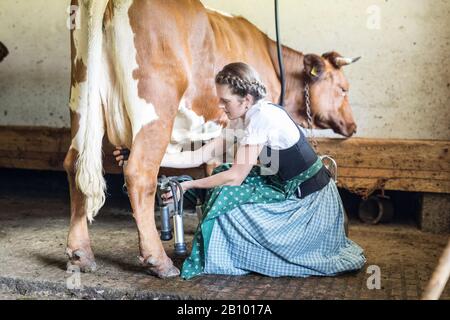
[{"x": 263, "y": 227}]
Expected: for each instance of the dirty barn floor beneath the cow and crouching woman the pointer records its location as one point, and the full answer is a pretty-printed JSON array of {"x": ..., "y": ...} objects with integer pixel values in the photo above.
[{"x": 33, "y": 230}]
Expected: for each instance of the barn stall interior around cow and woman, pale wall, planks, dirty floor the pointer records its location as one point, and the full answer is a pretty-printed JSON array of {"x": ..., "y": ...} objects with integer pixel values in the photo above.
[{"x": 393, "y": 174}]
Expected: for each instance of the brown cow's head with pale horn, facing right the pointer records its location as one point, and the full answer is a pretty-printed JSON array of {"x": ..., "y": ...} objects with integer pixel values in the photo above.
[{"x": 329, "y": 92}]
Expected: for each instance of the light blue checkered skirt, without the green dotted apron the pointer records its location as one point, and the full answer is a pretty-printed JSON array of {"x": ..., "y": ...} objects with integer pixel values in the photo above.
[{"x": 295, "y": 237}]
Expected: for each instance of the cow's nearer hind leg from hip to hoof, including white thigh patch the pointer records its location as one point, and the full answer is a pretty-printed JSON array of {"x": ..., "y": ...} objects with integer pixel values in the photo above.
[{"x": 152, "y": 93}]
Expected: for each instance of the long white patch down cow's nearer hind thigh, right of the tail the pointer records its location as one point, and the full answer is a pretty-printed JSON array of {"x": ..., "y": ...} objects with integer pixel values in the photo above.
[{"x": 139, "y": 111}]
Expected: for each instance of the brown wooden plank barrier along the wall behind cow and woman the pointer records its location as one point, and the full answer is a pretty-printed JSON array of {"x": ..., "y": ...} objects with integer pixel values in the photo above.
[{"x": 420, "y": 166}]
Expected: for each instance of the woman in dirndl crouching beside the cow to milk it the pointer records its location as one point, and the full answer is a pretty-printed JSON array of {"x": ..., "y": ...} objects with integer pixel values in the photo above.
[{"x": 282, "y": 218}]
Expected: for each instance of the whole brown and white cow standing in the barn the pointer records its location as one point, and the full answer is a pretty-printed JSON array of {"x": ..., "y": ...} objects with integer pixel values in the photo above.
[{"x": 143, "y": 75}]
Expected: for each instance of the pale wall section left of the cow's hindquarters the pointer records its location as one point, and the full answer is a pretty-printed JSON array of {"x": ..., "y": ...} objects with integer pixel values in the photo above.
[{"x": 35, "y": 77}]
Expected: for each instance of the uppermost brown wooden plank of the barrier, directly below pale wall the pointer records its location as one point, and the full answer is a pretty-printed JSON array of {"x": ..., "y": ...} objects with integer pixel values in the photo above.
[{"x": 353, "y": 153}]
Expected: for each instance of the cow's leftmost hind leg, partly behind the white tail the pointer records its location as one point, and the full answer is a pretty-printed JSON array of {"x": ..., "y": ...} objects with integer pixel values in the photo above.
[{"x": 78, "y": 243}]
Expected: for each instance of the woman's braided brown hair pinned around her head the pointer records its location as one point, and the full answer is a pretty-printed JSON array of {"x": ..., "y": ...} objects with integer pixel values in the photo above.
[{"x": 242, "y": 80}]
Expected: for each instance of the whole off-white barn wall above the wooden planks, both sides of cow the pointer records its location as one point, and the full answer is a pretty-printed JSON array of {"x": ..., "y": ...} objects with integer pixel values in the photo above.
[{"x": 401, "y": 89}]
